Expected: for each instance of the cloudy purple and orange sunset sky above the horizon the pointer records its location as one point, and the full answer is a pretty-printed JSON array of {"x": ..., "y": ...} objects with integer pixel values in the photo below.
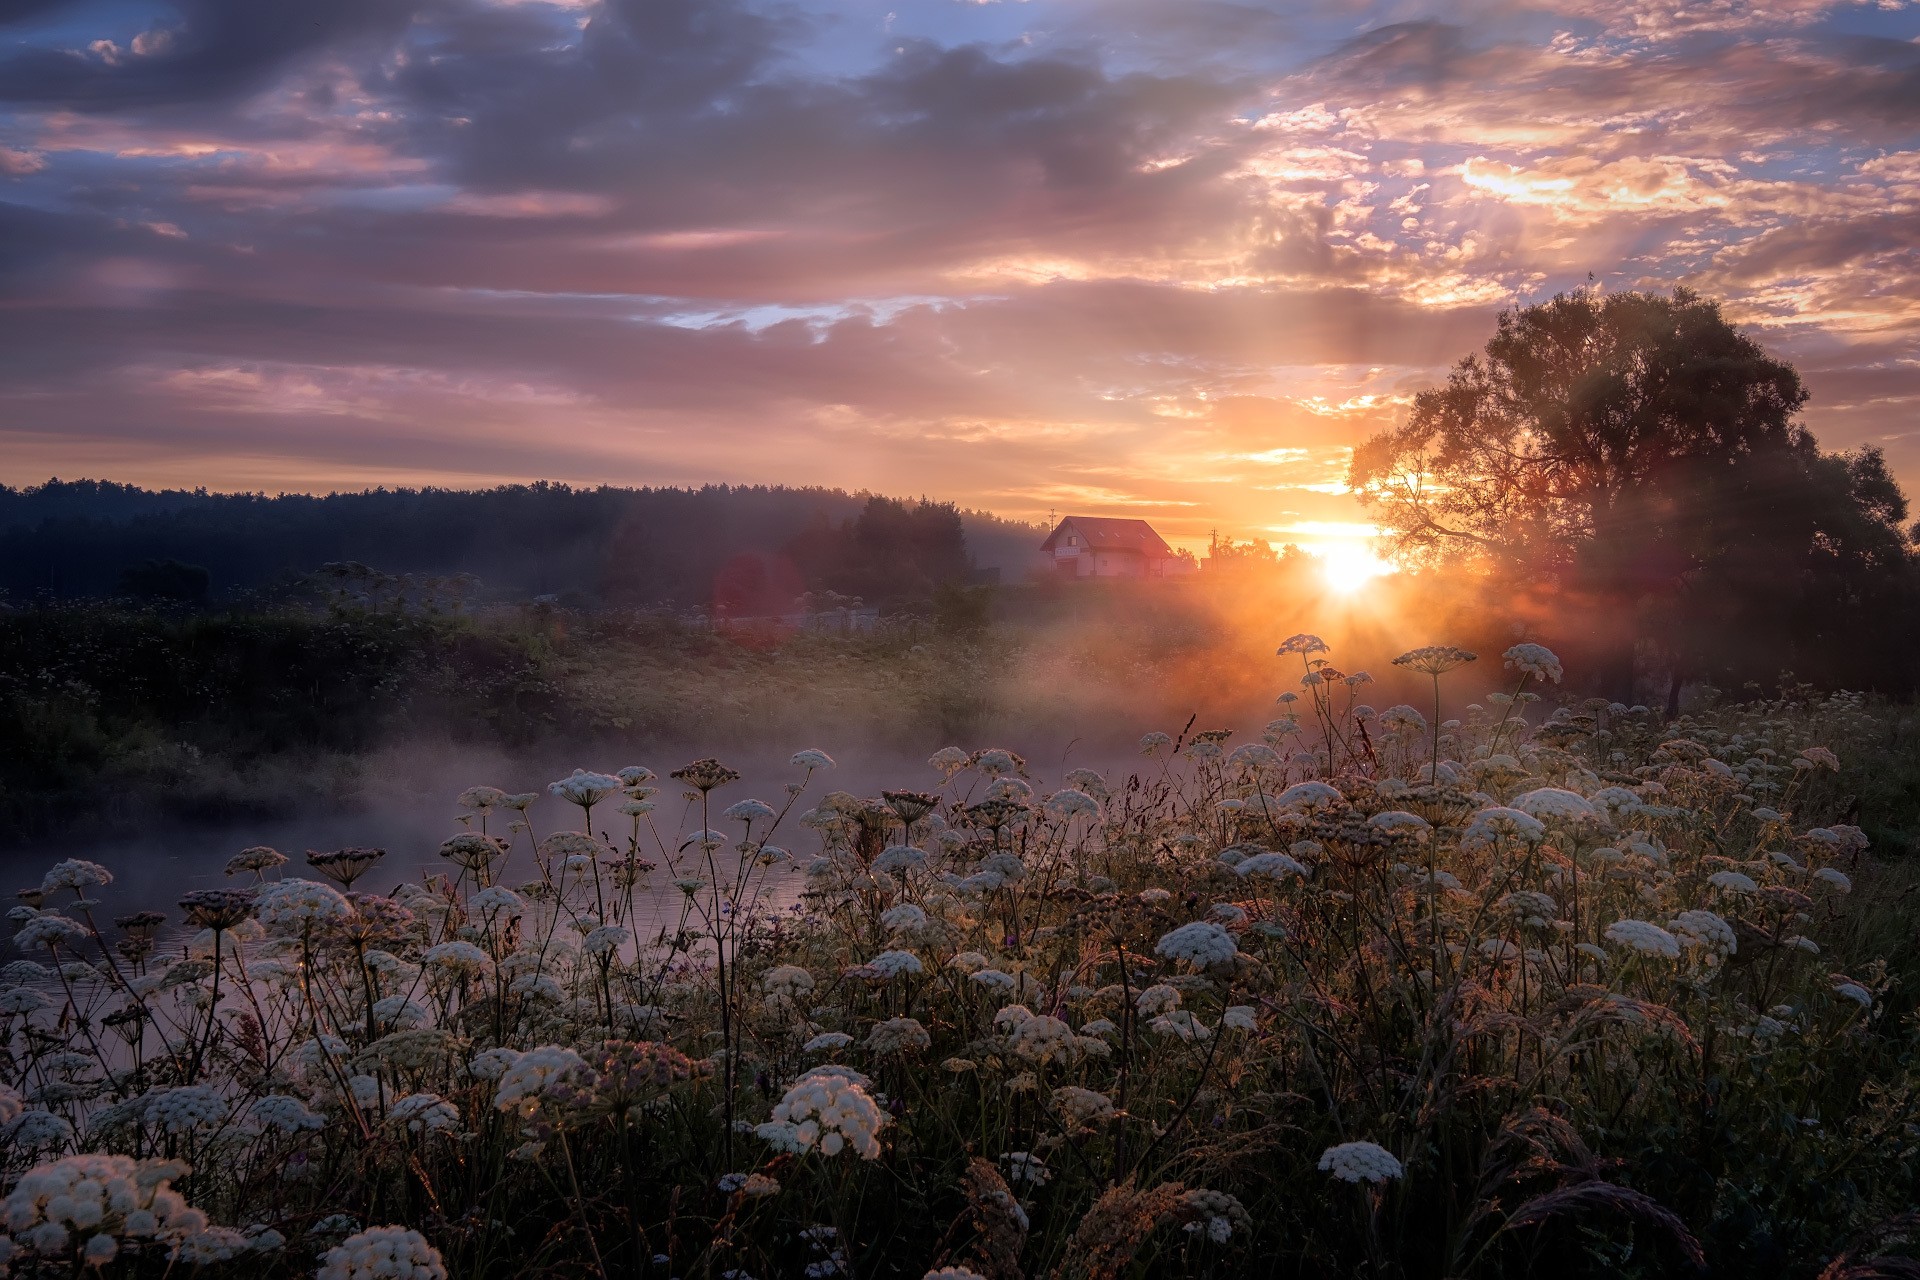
[{"x": 1161, "y": 258}]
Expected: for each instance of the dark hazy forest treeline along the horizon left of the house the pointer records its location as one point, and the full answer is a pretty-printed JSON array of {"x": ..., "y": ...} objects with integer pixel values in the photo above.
[{"x": 740, "y": 548}]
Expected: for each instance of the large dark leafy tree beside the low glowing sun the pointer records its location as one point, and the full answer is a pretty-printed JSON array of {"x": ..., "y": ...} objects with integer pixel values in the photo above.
[{"x": 1641, "y": 456}]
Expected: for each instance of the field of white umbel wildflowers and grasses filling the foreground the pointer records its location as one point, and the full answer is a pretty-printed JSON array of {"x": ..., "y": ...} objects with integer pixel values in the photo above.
[{"x": 1445, "y": 989}]
